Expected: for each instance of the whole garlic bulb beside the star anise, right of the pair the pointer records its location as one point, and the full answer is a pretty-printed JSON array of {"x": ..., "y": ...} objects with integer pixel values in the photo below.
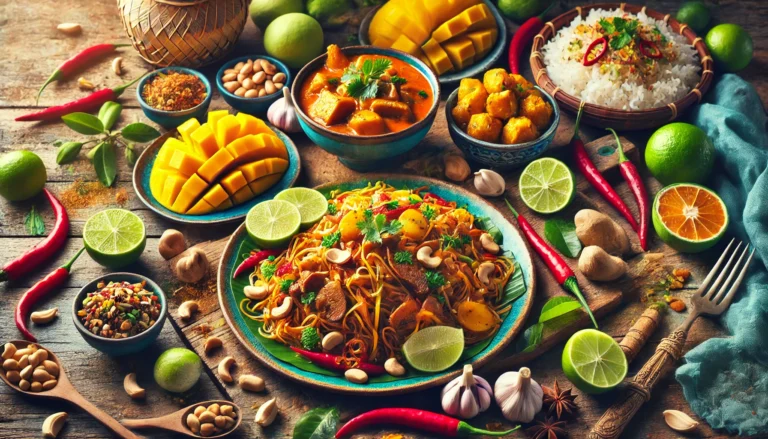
[{"x": 518, "y": 396}]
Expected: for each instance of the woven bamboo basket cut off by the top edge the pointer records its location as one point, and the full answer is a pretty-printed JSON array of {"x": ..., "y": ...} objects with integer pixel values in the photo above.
[{"x": 189, "y": 33}]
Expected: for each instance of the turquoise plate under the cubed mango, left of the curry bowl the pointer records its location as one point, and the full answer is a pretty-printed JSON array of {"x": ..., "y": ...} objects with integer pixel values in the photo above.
[{"x": 143, "y": 169}]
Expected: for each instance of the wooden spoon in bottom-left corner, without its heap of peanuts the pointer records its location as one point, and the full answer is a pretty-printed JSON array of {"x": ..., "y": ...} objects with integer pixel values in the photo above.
[{"x": 65, "y": 391}]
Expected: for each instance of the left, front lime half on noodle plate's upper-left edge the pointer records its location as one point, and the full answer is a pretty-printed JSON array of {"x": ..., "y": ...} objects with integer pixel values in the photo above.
[{"x": 273, "y": 223}]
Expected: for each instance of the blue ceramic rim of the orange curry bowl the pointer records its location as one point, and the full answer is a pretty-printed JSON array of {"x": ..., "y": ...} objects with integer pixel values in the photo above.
[{"x": 311, "y": 67}]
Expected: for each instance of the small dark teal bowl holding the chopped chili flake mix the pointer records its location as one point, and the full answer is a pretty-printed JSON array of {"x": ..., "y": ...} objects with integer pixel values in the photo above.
[{"x": 122, "y": 346}]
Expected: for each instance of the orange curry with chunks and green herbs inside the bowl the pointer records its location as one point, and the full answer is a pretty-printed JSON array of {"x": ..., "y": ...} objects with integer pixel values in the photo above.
[{"x": 366, "y": 95}]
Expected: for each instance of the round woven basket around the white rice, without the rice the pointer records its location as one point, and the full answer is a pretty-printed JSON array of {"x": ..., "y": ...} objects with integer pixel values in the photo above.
[{"x": 601, "y": 116}]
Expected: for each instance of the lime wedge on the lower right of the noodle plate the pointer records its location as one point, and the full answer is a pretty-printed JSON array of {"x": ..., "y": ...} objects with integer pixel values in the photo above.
[{"x": 435, "y": 348}]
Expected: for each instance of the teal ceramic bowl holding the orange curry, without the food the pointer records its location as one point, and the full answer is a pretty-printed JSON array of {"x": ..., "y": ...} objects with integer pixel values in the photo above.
[{"x": 365, "y": 153}]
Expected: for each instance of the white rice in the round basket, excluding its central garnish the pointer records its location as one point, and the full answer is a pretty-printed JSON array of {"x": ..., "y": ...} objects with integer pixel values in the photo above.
[{"x": 675, "y": 80}]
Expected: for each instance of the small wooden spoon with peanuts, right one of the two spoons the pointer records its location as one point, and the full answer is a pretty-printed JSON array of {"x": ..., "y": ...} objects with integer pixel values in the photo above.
[{"x": 191, "y": 421}]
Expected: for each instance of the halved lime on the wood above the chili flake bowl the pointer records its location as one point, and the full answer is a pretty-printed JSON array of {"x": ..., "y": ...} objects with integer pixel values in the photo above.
[{"x": 114, "y": 237}]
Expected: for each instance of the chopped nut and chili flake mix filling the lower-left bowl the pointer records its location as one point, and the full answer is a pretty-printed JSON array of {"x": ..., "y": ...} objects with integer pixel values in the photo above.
[{"x": 119, "y": 310}]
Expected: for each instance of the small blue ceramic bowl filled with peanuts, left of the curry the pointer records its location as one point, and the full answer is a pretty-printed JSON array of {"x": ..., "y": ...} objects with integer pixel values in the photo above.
[{"x": 252, "y": 83}]
